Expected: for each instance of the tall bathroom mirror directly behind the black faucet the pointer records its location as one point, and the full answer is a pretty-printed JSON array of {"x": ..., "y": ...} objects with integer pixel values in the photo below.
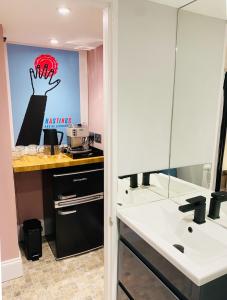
[{"x": 197, "y": 101}]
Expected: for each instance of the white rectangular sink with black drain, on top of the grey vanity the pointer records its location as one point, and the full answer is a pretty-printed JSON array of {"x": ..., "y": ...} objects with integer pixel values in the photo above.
[{"x": 162, "y": 226}]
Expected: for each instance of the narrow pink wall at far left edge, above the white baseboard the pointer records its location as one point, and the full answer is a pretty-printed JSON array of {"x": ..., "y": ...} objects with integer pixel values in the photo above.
[{"x": 8, "y": 222}]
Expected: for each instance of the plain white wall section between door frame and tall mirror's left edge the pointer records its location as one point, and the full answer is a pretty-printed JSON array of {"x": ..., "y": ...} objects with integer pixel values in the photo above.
[{"x": 146, "y": 55}]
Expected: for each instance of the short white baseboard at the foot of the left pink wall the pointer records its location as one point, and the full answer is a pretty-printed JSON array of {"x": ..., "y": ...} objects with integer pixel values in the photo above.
[{"x": 11, "y": 269}]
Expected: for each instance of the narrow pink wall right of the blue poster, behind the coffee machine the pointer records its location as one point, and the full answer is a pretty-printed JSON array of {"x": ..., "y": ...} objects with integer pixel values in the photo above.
[{"x": 95, "y": 92}]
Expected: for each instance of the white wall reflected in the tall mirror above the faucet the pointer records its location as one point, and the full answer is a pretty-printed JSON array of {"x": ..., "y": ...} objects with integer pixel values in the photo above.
[{"x": 198, "y": 89}]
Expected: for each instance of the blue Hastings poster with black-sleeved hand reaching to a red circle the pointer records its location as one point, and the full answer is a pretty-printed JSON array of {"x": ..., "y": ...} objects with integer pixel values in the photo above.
[{"x": 45, "y": 91}]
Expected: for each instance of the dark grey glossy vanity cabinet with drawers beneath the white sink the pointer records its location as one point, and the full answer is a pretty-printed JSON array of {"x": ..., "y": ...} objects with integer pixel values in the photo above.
[{"x": 144, "y": 274}]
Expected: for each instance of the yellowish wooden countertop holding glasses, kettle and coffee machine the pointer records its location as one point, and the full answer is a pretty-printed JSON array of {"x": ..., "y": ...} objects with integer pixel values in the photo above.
[{"x": 29, "y": 163}]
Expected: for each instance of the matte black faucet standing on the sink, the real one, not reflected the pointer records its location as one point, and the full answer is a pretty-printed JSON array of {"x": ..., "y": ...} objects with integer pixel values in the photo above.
[{"x": 198, "y": 204}]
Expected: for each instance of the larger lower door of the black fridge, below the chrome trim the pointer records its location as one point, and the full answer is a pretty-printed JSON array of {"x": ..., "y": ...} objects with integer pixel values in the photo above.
[{"x": 79, "y": 228}]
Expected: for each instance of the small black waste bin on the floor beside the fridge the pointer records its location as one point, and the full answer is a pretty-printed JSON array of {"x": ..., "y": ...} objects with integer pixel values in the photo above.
[{"x": 32, "y": 230}]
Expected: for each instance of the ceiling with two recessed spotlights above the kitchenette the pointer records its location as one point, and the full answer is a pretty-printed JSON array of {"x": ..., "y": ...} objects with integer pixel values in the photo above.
[{"x": 36, "y": 22}]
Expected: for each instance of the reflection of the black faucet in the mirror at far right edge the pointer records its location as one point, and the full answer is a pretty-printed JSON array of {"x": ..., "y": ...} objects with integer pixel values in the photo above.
[{"x": 215, "y": 204}]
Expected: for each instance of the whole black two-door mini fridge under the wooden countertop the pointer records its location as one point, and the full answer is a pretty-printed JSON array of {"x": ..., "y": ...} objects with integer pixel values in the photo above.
[{"x": 73, "y": 202}]
